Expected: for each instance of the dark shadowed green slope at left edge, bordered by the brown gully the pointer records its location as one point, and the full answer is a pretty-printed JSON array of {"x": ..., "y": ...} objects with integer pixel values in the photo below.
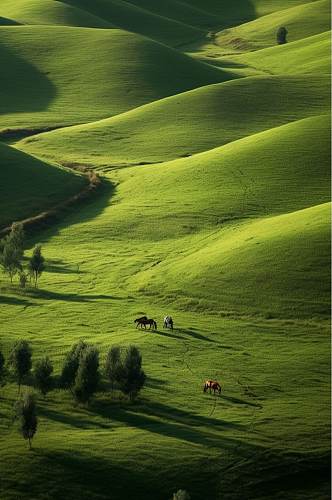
[{"x": 29, "y": 186}]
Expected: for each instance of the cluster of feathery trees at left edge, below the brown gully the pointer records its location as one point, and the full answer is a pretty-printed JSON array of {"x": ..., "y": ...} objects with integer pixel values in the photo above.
[{"x": 12, "y": 258}]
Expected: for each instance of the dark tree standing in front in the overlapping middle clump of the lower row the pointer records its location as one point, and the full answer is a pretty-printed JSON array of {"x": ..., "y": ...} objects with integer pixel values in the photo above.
[{"x": 87, "y": 377}]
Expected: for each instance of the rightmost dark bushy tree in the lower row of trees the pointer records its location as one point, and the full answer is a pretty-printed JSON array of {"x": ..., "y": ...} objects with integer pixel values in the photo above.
[{"x": 132, "y": 377}]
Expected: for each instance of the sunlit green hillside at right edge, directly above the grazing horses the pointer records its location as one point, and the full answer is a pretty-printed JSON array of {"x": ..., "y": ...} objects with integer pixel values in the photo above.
[{"x": 286, "y": 258}]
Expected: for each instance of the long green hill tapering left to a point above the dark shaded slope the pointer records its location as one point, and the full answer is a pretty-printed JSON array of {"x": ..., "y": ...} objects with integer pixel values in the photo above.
[{"x": 187, "y": 123}]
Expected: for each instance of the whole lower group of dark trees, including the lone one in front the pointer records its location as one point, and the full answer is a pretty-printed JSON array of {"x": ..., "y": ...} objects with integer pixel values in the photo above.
[{"x": 80, "y": 374}]
